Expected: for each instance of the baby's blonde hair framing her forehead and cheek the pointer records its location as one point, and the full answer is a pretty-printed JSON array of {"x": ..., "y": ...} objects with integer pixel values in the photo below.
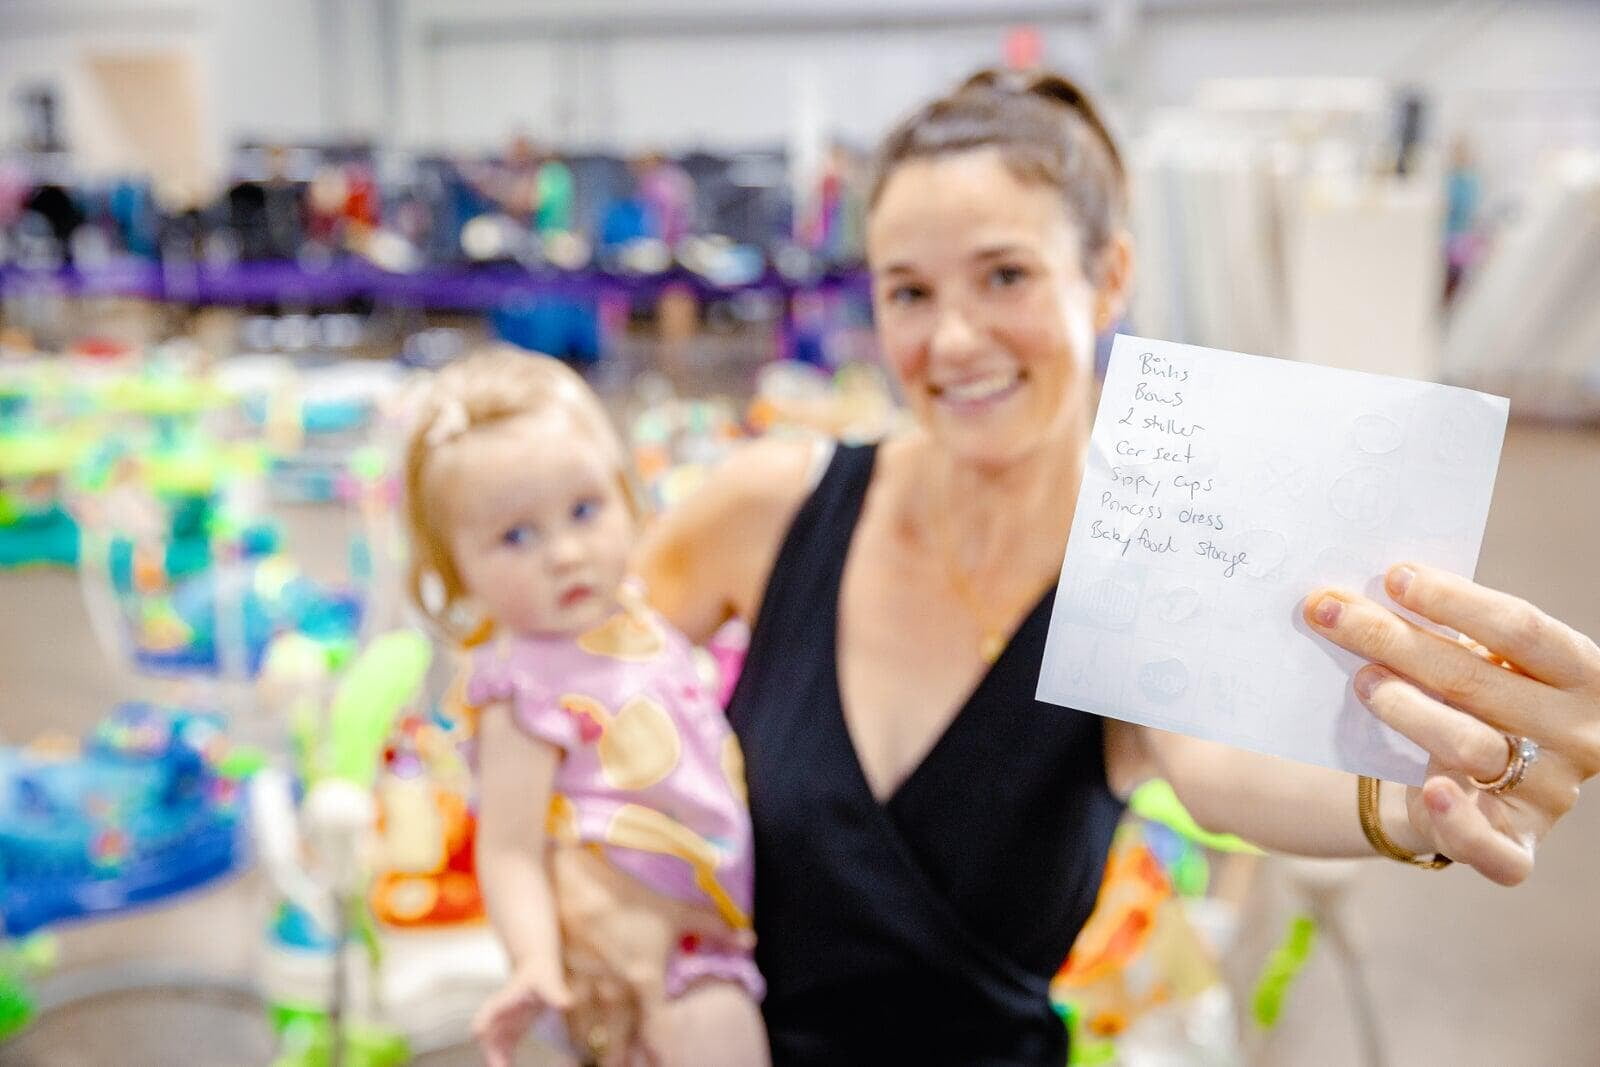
[{"x": 486, "y": 388}]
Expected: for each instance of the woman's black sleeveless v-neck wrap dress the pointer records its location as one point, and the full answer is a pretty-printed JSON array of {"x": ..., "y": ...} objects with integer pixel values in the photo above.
[{"x": 924, "y": 929}]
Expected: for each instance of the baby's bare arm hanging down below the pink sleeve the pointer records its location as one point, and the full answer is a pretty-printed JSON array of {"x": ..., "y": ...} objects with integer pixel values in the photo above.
[{"x": 516, "y": 778}]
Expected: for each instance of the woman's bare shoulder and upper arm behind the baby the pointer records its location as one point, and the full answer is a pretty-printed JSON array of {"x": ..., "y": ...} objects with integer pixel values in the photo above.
[{"x": 708, "y": 559}]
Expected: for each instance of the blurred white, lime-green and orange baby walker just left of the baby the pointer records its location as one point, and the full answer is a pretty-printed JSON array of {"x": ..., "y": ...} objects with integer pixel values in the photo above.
[{"x": 353, "y": 861}]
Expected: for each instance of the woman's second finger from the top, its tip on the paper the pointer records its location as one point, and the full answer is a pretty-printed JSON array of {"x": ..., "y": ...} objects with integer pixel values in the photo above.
[{"x": 1458, "y": 676}]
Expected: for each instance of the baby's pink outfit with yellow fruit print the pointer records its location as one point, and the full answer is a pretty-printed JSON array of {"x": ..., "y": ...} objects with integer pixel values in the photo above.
[{"x": 650, "y": 769}]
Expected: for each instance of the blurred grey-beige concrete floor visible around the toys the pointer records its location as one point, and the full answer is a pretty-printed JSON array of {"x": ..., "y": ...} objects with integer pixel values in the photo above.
[{"x": 1465, "y": 973}]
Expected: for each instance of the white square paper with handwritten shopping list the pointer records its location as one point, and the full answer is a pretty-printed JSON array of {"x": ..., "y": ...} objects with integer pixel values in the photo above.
[{"x": 1223, "y": 489}]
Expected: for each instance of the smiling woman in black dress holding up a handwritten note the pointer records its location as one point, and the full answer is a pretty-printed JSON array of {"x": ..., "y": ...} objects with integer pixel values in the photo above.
[{"x": 929, "y": 837}]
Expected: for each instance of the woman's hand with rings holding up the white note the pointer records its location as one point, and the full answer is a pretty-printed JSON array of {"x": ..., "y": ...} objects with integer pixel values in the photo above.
[{"x": 1530, "y": 676}]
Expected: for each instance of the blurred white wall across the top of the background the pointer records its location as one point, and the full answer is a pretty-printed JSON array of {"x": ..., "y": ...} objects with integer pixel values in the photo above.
[{"x": 674, "y": 74}]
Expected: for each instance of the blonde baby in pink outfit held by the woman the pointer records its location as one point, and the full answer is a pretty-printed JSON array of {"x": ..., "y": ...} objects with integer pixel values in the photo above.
[{"x": 594, "y": 727}]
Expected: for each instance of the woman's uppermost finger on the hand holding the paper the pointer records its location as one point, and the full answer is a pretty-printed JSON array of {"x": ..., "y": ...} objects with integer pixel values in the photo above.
[{"x": 1508, "y": 626}]
